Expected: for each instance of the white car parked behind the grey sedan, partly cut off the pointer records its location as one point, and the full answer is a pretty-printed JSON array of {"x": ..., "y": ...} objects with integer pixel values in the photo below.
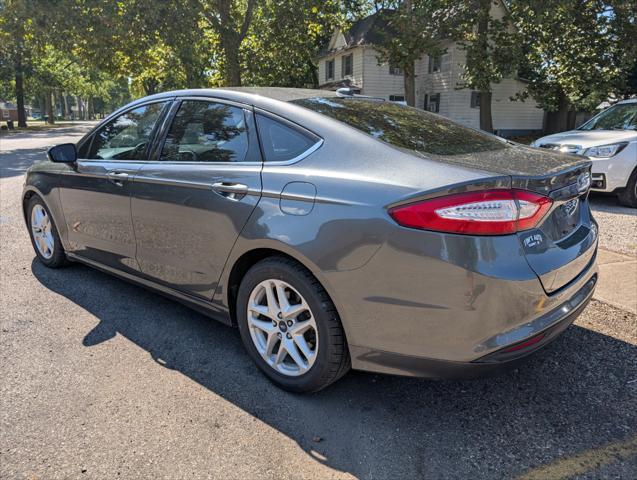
[{"x": 609, "y": 139}]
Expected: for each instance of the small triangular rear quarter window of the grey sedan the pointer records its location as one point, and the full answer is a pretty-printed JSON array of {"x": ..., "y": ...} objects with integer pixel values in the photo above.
[{"x": 281, "y": 141}]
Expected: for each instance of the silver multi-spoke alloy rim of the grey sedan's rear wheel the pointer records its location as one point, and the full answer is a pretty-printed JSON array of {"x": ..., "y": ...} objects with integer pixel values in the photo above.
[{"x": 282, "y": 327}]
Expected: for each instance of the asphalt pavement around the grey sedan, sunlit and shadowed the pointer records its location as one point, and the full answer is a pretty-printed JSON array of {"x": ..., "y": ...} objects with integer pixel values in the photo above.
[{"x": 101, "y": 379}]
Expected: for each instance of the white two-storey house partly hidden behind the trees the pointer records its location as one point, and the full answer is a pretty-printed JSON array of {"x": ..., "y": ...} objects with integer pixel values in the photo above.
[{"x": 351, "y": 60}]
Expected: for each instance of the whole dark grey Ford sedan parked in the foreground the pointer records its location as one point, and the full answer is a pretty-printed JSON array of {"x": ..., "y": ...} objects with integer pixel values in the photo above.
[{"x": 334, "y": 231}]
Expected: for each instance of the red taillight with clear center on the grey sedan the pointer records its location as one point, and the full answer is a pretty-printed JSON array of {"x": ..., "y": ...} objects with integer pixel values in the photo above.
[{"x": 489, "y": 212}]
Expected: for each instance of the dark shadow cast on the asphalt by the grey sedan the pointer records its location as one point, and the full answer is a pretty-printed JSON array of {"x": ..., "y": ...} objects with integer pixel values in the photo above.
[{"x": 577, "y": 396}]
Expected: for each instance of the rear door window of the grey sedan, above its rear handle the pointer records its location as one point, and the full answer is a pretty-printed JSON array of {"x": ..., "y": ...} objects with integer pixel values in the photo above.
[{"x": 204, "y": 131}]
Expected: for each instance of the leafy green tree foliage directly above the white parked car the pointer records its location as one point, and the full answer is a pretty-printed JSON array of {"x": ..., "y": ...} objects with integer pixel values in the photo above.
[{"x": 577, "y": 53}]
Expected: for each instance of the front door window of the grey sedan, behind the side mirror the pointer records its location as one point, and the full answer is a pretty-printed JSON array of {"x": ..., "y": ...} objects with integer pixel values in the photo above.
[{"x": 126, "y": 137}]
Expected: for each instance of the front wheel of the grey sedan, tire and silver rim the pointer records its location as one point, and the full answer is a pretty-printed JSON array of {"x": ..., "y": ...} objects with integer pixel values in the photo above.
[{"x": 44, "y": 234}]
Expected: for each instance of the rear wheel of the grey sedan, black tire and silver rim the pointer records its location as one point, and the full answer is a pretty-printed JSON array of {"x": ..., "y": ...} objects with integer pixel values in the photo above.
[{"x": 328, "y": 361}]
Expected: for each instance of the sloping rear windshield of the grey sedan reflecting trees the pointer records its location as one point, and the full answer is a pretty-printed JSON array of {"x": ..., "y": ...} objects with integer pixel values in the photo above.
[{"x": 405, "y": 127}]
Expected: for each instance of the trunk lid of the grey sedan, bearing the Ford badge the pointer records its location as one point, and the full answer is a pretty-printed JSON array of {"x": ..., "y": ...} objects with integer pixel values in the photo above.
[{"x": 563, "y": 243}]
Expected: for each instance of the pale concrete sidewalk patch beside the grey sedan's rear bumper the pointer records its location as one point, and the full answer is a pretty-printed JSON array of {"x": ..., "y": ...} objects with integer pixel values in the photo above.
[{"x": 617, "y": 284}]
